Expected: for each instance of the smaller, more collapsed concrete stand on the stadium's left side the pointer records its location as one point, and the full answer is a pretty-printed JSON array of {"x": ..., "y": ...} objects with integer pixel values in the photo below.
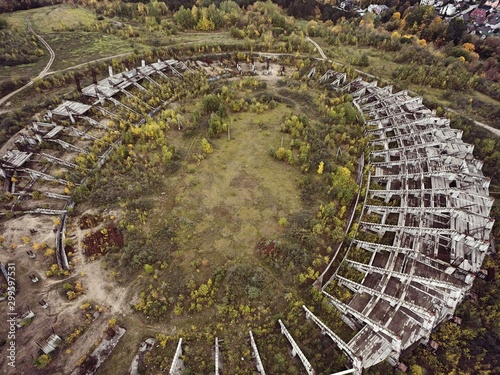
[{"x": 23, "y": 170}]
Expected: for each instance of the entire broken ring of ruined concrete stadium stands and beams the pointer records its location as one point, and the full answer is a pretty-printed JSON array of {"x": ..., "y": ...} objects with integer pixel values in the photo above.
[{"x": 423, "y": 231}]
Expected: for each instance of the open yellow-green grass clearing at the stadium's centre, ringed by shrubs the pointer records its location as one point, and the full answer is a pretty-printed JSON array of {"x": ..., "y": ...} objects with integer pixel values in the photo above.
[{"x": 235, "y": 197}]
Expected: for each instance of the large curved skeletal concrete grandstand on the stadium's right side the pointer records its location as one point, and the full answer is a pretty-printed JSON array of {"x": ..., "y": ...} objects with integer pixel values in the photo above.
[{"x": 423, "y": 233}]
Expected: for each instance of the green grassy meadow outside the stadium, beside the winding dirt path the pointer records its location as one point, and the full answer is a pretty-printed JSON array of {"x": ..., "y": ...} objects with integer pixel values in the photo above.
[{"x": 66, "y": 30}]
